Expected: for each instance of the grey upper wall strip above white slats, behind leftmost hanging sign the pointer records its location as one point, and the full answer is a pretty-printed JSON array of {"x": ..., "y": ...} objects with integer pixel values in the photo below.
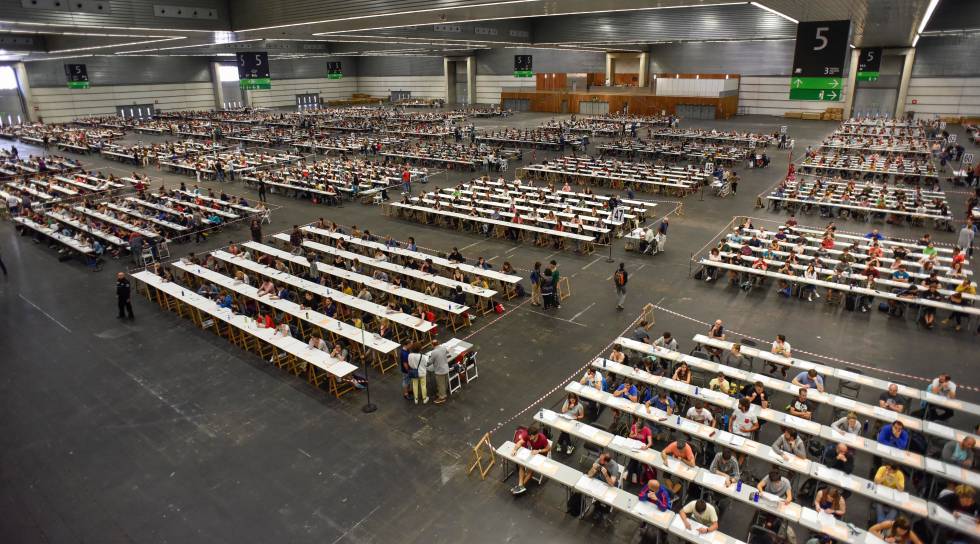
[{"x": 123, "y": 70}]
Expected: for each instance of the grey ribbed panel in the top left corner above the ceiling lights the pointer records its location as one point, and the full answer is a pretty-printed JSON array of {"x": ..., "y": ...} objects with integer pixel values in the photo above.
[{"x": 122, "y": 14}]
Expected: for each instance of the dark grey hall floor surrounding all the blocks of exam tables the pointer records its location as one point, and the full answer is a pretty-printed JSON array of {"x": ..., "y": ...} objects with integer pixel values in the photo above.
[{"x": 154, "y": 431}]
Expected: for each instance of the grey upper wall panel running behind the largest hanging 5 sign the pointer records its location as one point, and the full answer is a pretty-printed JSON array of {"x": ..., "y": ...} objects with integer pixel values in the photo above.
[{"x": 755, "y": 58}]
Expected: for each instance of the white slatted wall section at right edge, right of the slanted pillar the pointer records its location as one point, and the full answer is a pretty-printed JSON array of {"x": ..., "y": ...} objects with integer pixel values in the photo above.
[{"x": 944, "y": 96}]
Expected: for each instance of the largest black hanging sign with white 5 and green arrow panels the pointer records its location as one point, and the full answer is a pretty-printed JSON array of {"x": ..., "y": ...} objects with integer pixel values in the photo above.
[{"x": 818, "y": 61}]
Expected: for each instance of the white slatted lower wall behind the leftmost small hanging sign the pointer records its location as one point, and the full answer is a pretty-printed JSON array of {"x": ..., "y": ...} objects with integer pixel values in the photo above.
[{"x": 60, "y": 104}]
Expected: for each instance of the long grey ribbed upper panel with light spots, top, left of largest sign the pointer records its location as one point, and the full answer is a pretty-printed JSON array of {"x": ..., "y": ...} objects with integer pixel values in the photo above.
[{"x": 707, "y": 23}]
